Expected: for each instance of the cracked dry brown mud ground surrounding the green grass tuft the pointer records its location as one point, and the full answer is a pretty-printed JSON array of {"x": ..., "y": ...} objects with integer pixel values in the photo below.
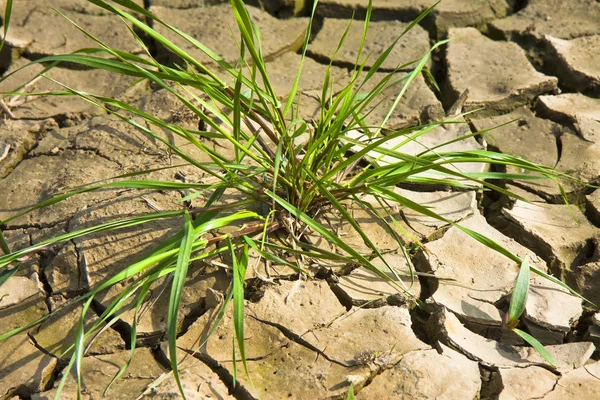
[{"x": 532, "y": 61}]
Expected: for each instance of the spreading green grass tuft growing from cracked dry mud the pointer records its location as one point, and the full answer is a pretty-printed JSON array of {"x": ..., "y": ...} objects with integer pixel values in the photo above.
[{"x": 341, "y": 159}]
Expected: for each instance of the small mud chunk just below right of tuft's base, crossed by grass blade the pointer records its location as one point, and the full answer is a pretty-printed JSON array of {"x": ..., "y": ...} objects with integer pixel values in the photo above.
[{"x": 365, "y": 288}]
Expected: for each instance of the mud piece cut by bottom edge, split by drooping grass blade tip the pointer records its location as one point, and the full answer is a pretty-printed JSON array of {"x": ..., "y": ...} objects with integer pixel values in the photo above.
[{"x": 197, "y": 379}]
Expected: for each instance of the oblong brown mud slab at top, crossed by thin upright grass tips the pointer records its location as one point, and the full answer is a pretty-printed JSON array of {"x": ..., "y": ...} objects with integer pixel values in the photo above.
[{"x": 381, "y": 35}]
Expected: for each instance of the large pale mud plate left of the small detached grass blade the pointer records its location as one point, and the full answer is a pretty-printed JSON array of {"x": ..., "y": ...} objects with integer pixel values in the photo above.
[{"x": 482, "y": 276}]
